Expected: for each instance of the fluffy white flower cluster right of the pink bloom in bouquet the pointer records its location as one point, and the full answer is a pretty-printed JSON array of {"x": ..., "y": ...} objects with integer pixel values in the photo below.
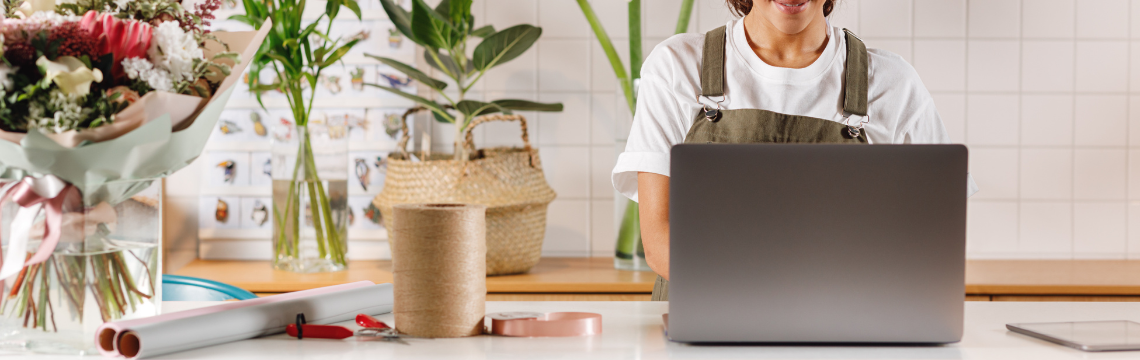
[{"x": 175, "y": 51}]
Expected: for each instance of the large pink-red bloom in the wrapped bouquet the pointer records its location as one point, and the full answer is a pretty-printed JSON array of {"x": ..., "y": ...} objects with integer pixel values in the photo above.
[{"x": 123, "y": 38}]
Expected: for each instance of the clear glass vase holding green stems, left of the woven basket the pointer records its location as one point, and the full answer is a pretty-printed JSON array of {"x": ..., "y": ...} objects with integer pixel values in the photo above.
[{"x": 311, "y": 198}]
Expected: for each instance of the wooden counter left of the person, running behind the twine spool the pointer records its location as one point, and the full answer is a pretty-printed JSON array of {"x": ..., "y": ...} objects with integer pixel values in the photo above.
[{"x": 552, "y": 275}]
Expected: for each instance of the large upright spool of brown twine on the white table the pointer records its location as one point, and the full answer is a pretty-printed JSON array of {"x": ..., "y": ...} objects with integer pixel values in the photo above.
[{"x": 439, "y": 269}]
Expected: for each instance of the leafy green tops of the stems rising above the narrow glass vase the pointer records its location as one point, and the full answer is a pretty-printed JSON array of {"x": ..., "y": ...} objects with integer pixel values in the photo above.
[{"x": 297, "y": 50}]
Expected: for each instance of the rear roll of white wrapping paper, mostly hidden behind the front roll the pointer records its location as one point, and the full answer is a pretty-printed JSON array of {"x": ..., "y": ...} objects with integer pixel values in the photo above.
[{"x": 108, "y": 336}]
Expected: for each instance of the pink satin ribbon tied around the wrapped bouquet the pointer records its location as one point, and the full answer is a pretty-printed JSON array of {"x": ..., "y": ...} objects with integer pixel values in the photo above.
[{"x": 26, "y": 195}]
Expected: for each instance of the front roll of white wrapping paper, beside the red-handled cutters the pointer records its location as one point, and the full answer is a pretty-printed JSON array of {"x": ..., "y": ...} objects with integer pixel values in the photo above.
[{"x": 164, "y": 338}]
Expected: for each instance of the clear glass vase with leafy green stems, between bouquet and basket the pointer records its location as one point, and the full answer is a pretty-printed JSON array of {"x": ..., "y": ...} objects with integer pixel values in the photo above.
[{"x": 311, "y": 161}]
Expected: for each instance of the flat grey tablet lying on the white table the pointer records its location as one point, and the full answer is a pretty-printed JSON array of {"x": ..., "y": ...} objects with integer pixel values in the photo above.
[{"x": 1086, "y": 336}]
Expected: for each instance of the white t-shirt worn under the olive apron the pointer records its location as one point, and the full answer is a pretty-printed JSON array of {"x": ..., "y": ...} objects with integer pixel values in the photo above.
[{"x": 900, "y": 109}]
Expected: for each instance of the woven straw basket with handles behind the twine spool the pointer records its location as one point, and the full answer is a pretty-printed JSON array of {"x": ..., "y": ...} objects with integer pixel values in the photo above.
[{"x": 509, "y": 181}]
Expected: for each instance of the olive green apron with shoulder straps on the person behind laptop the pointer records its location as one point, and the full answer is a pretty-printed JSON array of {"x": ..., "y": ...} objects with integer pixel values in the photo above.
[{"x": 751, "y": 126}]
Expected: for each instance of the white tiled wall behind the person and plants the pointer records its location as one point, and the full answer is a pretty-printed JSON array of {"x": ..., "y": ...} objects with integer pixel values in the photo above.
[{"x": 1041, "y": 91}]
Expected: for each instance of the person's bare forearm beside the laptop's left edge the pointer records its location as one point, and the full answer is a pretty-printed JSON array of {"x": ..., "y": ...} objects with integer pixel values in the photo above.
[{"x": 654, "y": 206}]
